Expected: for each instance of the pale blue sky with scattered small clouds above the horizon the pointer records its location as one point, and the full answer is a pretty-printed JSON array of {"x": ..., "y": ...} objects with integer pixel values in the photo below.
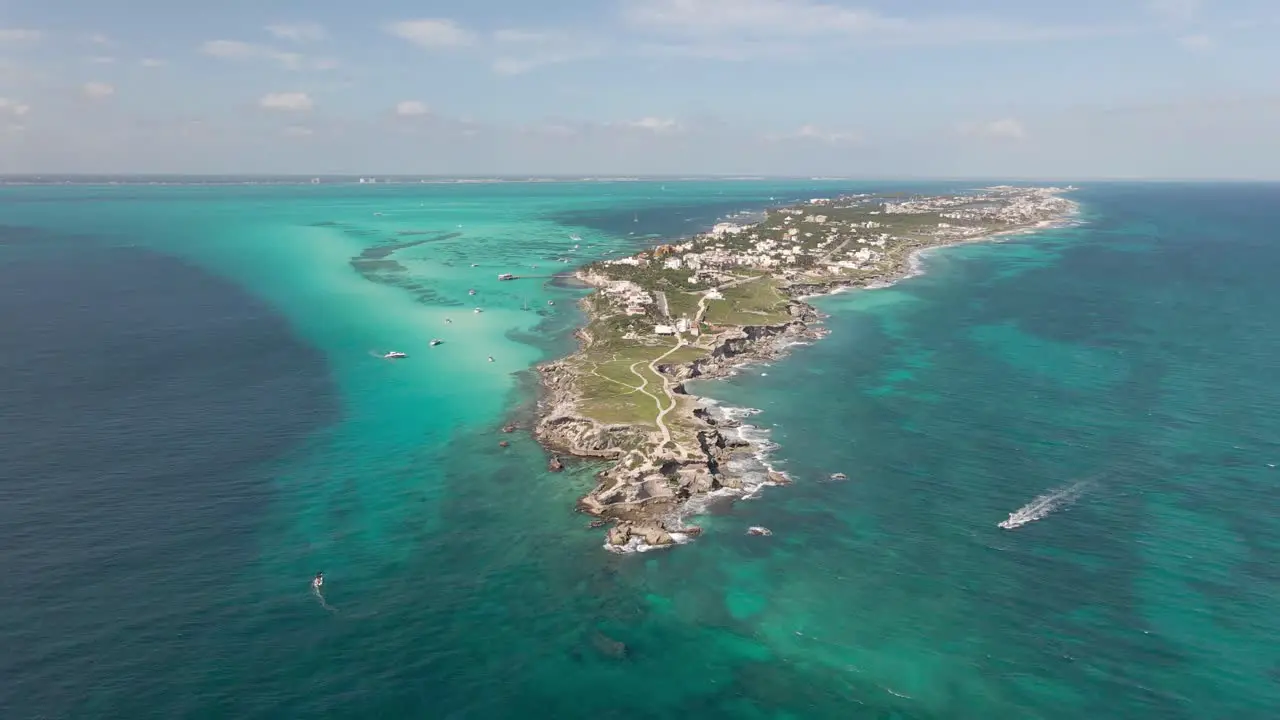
[{"x": 1162, "y": 89}]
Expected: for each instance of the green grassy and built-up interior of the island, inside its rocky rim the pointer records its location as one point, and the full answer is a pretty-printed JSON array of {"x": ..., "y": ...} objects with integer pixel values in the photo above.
[{"x": 849, "y": 240}]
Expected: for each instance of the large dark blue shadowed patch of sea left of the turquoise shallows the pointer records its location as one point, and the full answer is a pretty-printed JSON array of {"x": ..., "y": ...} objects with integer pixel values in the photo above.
[{"x": 141, "y": 400}]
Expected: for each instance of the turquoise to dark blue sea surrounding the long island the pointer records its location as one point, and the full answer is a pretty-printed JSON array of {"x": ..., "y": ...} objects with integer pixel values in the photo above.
[{"x": 195, "y": 420}]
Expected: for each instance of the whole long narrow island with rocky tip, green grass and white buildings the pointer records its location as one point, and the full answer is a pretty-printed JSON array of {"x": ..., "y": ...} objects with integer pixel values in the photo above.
[{"x": 714, "y": 303}]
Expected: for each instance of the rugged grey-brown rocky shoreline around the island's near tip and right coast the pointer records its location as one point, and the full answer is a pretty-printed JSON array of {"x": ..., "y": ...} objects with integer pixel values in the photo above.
[{"x": 646, "y": 494}]
